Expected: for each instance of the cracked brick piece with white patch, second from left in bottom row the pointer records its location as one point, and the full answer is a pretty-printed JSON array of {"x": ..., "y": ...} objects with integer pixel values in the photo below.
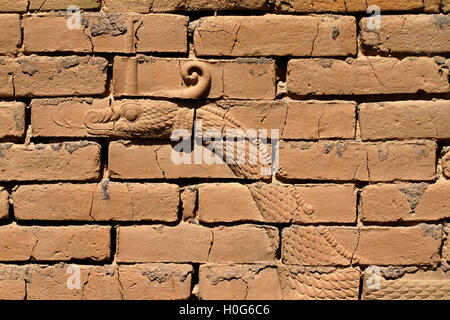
[{"x": 56, "y": 282}]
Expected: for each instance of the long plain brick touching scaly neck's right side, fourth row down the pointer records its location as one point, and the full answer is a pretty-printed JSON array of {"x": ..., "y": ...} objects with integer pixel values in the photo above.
[{"x": 343, "y": 161}]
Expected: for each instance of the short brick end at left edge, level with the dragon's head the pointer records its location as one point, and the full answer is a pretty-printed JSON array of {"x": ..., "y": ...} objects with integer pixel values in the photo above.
[{"x": 12, "y": 120}]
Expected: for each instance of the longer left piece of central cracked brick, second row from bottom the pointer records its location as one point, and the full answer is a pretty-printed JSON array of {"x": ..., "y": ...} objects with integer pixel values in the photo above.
[{"x": 183, "y": 243}]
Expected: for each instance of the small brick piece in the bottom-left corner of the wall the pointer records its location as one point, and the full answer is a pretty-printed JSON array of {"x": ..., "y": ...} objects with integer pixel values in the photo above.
[{"x": 12, "y": 282}]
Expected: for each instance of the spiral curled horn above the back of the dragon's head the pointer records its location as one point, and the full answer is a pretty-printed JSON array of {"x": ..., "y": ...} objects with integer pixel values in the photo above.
[{"x": 197, "y": 78}]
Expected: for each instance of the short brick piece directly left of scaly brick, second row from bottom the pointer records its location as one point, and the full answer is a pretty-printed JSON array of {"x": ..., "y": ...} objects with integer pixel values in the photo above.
[{"x": 244, "y": 244}]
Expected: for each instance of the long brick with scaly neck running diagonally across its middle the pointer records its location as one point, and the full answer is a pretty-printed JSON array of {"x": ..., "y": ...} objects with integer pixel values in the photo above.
[{"x": 233, "y": 202}]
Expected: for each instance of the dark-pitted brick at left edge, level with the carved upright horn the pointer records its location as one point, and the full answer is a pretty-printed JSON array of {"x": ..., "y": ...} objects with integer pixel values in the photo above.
[{"x": 34, "y": 76}]
